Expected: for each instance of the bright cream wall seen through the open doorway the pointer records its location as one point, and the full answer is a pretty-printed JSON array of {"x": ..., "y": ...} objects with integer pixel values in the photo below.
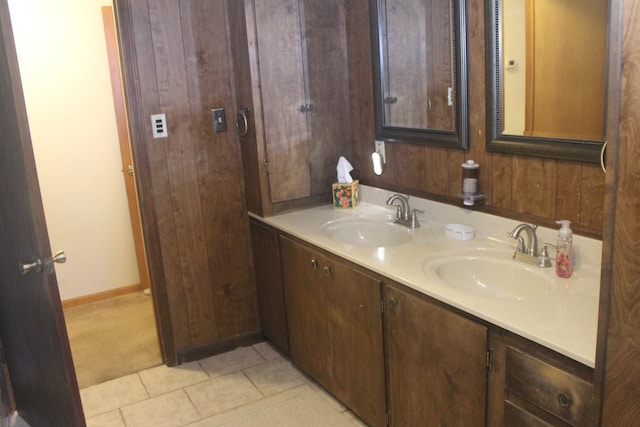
[{"x": 65, "y": 75}]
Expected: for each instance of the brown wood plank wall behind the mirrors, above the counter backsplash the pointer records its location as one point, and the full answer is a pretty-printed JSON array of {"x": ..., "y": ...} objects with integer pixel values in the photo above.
[{"x": 525, "y": 188}]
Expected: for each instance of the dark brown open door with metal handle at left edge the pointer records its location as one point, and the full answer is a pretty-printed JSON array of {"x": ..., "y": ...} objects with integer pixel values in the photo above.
[{"x": 32, "y": 328}]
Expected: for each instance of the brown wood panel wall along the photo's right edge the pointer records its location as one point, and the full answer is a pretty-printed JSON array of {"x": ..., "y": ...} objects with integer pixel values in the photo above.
[{"x": 619, "y": 338}]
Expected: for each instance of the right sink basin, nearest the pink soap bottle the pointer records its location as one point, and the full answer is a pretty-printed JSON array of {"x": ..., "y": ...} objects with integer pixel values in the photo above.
[{"x": 490, "y": 273}]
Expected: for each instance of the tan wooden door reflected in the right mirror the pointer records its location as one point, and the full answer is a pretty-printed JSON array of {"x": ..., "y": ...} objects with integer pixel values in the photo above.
[{"x": 566, "y": 81}]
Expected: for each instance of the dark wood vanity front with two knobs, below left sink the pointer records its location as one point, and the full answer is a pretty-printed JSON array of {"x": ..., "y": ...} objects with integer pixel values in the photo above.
[{"x": 335, "y": 328}]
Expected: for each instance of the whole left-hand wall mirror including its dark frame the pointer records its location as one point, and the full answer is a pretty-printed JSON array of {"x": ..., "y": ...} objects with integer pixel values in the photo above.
[{"x": 420, "y": 71}]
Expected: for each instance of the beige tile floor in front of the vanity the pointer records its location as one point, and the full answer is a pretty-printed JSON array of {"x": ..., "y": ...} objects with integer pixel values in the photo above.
[{"x": 248, "y": 387}]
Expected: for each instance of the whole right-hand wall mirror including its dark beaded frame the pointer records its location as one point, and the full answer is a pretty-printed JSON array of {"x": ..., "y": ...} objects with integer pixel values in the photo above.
[{"x": 546, "y": 79}]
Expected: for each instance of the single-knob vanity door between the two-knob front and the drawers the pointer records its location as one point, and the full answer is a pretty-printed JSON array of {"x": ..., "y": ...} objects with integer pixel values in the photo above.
[{"x": 437, "y": 369}]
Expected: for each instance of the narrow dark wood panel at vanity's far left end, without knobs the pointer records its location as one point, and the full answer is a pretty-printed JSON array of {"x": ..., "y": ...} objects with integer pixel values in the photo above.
[{"x": 266, "y": 259}]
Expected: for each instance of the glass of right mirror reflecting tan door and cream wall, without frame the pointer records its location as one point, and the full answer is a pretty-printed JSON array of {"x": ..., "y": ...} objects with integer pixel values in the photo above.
[{"x": 553, "y": 68}]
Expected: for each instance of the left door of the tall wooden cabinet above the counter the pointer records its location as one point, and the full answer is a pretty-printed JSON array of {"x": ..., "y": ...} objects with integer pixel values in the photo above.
[{"x": 283, "y": 92}]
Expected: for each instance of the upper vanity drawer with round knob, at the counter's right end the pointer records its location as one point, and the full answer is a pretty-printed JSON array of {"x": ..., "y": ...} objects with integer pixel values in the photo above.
[{"x": 556, "y": 391}]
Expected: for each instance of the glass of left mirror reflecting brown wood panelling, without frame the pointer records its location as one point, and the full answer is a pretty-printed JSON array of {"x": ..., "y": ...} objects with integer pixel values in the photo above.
[{"x": 417, "y": 57}]
